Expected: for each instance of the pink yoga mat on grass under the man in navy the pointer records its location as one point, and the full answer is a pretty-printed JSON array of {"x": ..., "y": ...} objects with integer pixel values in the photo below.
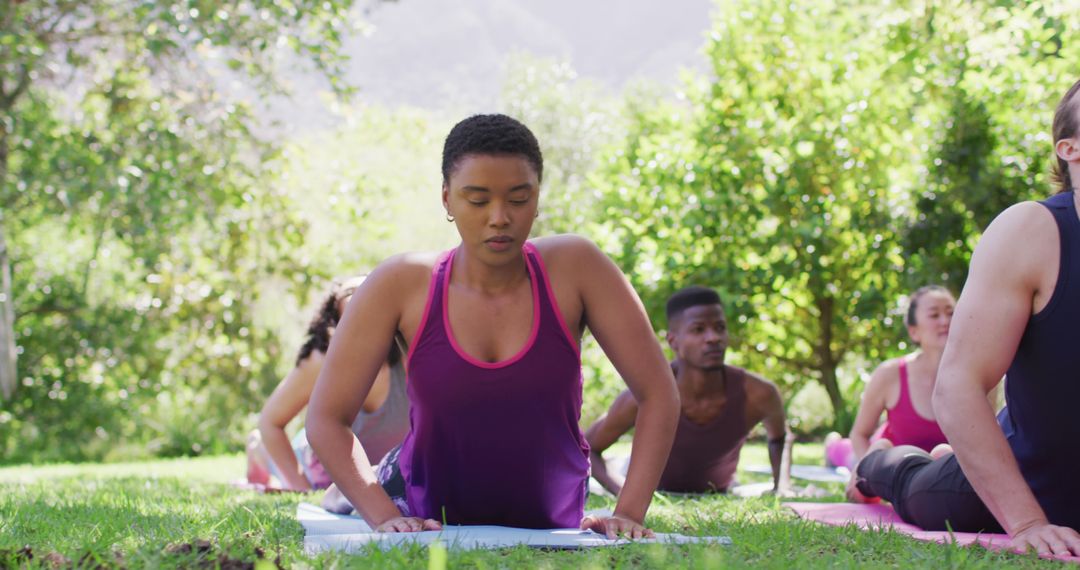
[{"x": 882, "y": 517}]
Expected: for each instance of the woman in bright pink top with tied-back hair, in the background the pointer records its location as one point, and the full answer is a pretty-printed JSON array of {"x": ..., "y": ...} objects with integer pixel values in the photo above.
[{"x": 902, "y": 387}]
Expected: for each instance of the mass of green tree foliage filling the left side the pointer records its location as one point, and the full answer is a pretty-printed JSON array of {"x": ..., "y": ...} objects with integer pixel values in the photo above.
[{"x": 134, "y": 211}]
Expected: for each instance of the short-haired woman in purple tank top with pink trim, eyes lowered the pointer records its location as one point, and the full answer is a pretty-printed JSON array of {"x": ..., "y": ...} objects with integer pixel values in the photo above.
[{"x": 494, "y": 330}]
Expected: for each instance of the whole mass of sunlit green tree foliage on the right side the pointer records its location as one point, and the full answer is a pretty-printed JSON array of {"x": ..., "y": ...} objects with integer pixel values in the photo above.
[{"x": 838, "y": 155}]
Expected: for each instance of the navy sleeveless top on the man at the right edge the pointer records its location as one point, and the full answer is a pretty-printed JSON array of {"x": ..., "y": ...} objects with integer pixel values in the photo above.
[{"x": 1043, "y": 392}]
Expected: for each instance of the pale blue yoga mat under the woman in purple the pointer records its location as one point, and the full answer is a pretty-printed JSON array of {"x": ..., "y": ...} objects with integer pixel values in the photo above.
[{"x": 327, "y": 532}]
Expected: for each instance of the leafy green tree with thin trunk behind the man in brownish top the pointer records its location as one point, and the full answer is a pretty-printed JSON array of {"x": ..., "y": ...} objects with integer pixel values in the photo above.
[{"x": 778, "y": 182}]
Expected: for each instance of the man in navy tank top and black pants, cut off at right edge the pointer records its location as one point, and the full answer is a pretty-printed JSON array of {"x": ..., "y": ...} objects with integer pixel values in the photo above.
[{"x": 1019, "y": 314}]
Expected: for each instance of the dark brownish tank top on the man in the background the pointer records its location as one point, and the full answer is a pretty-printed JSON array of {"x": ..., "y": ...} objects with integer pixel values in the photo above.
[{"x": 705, "y": 457}]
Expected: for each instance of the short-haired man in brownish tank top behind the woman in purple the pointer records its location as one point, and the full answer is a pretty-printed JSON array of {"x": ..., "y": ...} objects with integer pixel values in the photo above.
[{"x": 721, "y": 405}]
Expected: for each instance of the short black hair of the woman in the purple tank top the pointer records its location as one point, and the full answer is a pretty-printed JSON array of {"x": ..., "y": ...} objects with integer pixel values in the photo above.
[{"x": 491, "y": 134}]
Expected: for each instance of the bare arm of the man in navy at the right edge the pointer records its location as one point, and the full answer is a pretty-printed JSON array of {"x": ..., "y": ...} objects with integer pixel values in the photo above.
[{"x": 991, "y": 317}]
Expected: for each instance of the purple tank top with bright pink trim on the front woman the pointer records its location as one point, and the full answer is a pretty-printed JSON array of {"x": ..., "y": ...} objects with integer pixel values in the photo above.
[{"x": 496, "y": 443}]
